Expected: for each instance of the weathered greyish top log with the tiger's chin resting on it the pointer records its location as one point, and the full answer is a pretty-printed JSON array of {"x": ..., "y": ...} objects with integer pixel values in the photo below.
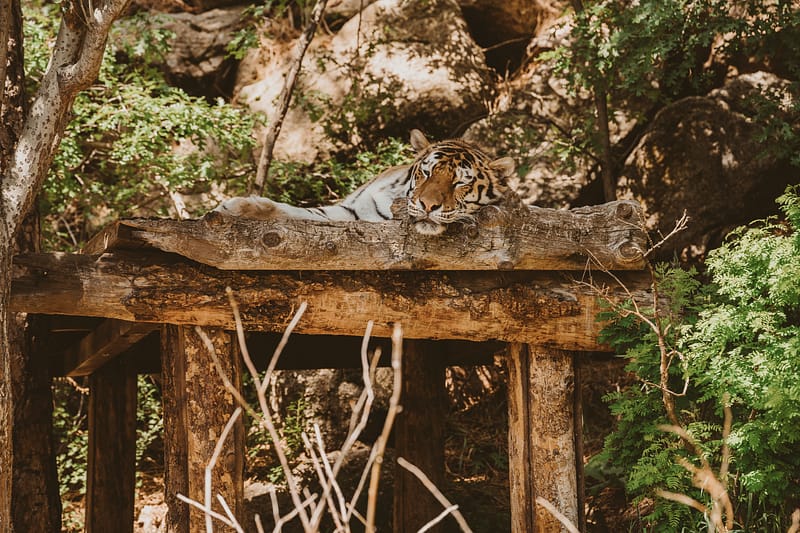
[{"x": 513, "y": 237}]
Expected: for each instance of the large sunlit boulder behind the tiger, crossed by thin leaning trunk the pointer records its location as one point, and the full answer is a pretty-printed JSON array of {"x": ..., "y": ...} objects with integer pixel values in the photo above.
[{"x": 396, "y": 66}]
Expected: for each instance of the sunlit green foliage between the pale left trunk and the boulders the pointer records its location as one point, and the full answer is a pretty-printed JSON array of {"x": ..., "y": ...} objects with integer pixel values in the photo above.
[{"x": 133, "y": 139}]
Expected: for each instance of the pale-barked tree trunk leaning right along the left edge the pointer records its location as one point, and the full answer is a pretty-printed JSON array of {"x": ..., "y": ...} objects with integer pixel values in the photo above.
[{"x": 25, "y": 159}]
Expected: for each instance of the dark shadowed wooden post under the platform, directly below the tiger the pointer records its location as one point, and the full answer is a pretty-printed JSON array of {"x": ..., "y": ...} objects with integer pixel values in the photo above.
[{"x": 419, "y": 435}]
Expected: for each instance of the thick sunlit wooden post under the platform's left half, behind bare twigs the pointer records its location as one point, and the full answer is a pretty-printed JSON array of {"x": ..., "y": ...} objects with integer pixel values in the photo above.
[{"x": 196, "y": 409}]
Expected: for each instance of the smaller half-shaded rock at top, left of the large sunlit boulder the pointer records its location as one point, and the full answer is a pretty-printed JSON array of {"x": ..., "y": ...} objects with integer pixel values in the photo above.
[{"x": 197, "y": 60}]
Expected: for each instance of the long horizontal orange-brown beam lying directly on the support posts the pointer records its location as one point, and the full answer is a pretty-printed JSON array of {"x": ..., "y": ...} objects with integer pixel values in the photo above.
[{"x": 538, "y": 308}]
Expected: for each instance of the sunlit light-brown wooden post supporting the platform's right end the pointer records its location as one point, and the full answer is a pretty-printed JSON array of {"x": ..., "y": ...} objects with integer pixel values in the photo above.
[{"x": 541, "y": 437}]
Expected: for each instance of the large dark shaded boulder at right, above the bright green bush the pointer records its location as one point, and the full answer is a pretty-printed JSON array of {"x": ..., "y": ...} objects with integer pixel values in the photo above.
[{"x": 704, "y": 155}]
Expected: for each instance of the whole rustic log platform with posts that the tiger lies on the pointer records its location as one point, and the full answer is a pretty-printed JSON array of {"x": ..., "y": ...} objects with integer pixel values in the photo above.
[{"x": 509, "y": 280}]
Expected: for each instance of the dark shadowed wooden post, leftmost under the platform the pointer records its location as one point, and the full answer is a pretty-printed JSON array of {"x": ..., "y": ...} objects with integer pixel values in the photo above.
[{"x": 111, "y": 472}]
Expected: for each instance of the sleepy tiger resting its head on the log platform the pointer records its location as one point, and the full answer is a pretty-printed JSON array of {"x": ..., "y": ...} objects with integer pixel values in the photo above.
[{"x": 448, "y": 181}]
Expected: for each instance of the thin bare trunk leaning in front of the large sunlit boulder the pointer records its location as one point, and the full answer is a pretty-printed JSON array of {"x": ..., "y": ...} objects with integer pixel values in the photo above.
[{"x": 274, "y": 129}]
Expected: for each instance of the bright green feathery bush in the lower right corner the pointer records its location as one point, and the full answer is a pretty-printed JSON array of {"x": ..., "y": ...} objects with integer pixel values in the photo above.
[{"x": 737, "y": 335}]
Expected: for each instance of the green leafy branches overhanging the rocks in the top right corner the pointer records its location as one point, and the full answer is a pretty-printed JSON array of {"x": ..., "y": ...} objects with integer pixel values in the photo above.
[{"x": 656, "y": 51}]
